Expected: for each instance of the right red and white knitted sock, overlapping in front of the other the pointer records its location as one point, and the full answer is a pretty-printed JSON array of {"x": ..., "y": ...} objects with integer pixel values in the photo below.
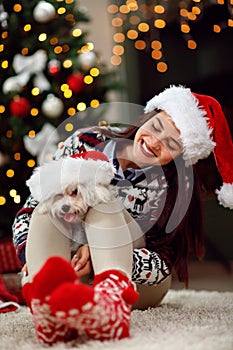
[{"x": 101, "y": 312}]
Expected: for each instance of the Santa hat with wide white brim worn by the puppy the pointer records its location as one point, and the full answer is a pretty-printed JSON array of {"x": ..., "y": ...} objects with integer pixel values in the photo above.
[{"x": 52, "y": 178}]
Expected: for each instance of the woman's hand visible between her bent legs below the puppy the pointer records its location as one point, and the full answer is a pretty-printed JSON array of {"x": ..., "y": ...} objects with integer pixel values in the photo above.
[{"x": 81, "y": 261}]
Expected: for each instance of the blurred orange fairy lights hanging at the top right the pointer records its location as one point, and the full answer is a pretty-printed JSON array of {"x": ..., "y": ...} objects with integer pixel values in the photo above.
[{"x": 132, "y": 18}]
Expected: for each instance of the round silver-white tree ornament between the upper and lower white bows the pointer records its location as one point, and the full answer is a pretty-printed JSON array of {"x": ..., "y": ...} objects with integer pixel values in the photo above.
[{"x": 52, "y": 106}]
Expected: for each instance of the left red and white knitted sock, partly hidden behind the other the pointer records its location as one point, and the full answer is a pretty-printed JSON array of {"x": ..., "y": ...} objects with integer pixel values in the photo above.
[{"x": 49, "y": 329}]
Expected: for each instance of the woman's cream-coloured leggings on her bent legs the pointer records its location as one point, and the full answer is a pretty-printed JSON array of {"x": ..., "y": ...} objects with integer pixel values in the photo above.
[{"x": 112, "y": 235}]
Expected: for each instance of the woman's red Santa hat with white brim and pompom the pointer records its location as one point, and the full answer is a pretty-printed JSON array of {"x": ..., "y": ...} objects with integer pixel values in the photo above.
[{"x": 203, "y": 129}]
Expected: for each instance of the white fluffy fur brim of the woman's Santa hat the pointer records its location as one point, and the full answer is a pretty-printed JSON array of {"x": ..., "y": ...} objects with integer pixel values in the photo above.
[{"x": 182, "y": 106}]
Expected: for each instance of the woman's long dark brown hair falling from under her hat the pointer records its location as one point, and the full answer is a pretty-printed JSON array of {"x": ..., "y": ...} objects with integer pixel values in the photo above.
[{"x": 187, "y": 237}]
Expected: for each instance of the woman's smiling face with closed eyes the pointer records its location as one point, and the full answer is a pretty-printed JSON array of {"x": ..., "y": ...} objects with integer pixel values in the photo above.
[{"x": 157, "y": 141}]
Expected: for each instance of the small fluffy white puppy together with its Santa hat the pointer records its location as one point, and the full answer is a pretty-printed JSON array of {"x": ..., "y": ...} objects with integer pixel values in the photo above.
[{"x": 68, "y": 187}]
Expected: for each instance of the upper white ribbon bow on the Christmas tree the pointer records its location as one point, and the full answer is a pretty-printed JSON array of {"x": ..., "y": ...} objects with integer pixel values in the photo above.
[{"x": 25, "y": 67}]
